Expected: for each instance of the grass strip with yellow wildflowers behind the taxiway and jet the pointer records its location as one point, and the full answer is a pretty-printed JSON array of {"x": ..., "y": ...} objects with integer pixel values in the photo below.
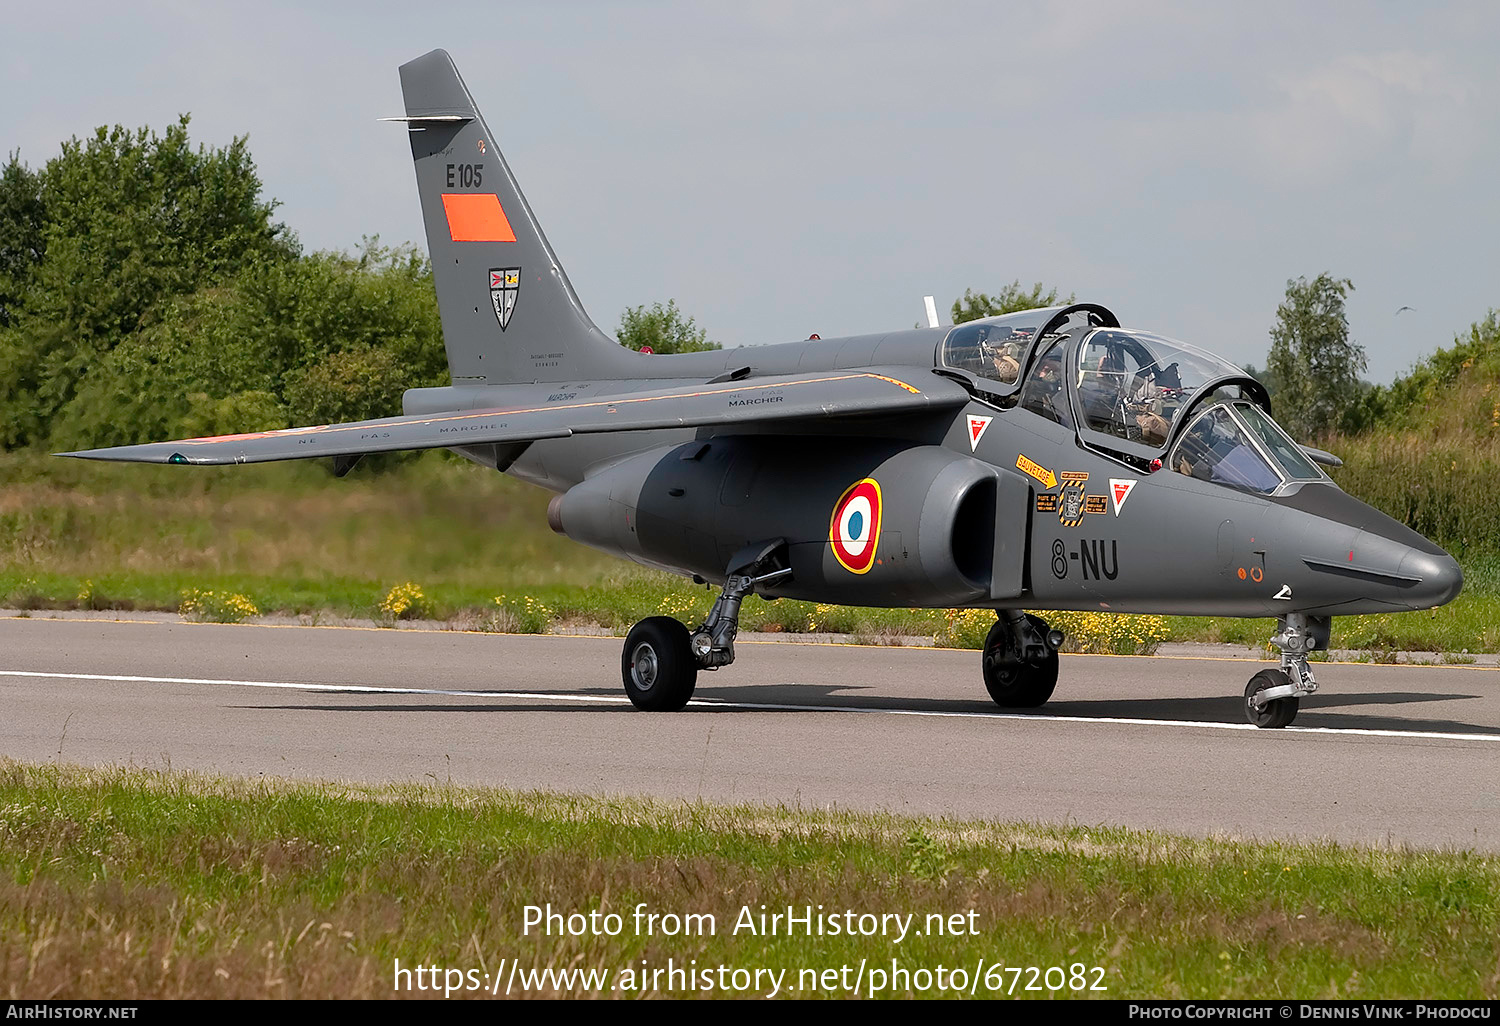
[{"x": 295, "y": 539}]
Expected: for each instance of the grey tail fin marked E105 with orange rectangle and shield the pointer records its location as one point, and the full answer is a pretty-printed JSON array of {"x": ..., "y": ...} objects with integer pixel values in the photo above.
[{"x": 509, "y": 311}]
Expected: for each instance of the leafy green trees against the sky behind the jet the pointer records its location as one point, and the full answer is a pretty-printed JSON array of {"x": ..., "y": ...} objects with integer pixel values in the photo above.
[{"x": 148, "y": 292}]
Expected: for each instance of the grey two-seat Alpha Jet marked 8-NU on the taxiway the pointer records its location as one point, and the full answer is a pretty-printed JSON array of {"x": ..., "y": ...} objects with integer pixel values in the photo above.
[{"x": 1049, "y": 460}]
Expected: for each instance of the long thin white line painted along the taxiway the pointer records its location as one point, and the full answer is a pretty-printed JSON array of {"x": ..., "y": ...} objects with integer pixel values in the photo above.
[{"x": 752, "y": 707}]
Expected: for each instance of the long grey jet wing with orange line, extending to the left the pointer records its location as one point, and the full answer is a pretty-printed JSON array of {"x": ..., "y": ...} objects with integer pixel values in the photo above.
[{"x": 797, "y": 397}]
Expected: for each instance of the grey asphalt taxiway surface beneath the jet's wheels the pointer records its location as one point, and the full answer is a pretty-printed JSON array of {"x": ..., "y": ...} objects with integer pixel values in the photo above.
[{"x": 1385, "y": 755}]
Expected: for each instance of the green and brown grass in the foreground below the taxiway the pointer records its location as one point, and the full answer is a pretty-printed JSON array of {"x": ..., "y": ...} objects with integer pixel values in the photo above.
[{"x": 146, "y": 884}]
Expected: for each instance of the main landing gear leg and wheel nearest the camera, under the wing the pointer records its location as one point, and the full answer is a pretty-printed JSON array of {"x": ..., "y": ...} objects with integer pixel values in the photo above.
[{"x": 662, "y": 658}]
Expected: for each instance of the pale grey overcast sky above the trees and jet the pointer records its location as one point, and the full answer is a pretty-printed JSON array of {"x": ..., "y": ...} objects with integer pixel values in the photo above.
[{"x": 782, "y": 169}]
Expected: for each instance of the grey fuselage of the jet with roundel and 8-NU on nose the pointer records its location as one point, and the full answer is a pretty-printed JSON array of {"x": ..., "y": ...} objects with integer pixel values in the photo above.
[{"x": 1177, "y": 544}]
